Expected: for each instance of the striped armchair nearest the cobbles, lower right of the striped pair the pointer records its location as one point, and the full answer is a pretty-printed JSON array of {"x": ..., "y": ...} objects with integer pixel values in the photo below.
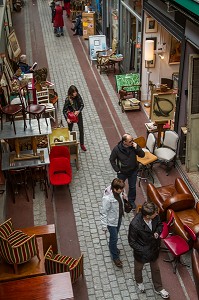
[{"x": 57, "y": 263}]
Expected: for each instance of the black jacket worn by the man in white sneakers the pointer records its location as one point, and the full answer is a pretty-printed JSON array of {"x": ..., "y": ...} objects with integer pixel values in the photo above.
[{"x": 141, "y": 238}]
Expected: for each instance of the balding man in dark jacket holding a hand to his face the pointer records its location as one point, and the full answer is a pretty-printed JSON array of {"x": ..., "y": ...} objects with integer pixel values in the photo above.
[{"x": 124, "y": 162}]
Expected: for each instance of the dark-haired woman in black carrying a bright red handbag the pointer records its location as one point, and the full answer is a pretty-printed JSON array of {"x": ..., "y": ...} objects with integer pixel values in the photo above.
[{"x": 72, "y": 111}]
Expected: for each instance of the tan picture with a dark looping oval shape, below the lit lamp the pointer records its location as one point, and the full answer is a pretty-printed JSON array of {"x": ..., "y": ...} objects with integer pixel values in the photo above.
[{"x": 162, "y": 107}]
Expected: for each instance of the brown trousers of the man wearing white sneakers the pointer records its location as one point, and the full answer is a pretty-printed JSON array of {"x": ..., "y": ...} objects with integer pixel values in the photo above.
[{"x": 155, "y": 273}]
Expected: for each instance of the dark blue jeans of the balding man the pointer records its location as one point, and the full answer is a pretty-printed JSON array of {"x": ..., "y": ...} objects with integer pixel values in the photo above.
[{"x": 132, "y": 178}]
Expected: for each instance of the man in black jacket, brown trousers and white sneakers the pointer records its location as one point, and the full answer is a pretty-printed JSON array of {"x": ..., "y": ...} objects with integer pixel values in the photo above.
[{"x": 144, "y": 238}]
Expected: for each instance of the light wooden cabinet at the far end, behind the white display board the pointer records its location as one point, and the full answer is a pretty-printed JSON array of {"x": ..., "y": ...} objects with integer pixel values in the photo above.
[{"x": 89, "y": 24}]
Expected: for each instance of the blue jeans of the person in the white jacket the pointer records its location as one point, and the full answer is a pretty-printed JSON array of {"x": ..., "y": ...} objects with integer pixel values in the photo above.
[{"x": 113, "y": 239}]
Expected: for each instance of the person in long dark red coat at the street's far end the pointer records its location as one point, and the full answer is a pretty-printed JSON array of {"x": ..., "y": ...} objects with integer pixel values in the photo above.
[{"x": 58, "y": 21}]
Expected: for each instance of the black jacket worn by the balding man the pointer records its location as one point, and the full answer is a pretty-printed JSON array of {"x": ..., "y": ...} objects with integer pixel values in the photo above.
[{"x": 124, "y": 159}]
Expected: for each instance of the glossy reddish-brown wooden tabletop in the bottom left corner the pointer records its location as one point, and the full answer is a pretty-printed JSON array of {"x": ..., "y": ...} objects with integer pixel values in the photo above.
[{"x": 47, "y": 287}]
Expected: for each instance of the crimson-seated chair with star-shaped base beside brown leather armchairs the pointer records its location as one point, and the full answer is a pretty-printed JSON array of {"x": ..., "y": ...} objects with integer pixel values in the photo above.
[{"x": 176, "y": 244}]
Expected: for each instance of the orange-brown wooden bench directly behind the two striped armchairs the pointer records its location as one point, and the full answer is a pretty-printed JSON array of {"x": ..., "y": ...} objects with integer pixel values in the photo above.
[{"x": 48, "y": 234}]
